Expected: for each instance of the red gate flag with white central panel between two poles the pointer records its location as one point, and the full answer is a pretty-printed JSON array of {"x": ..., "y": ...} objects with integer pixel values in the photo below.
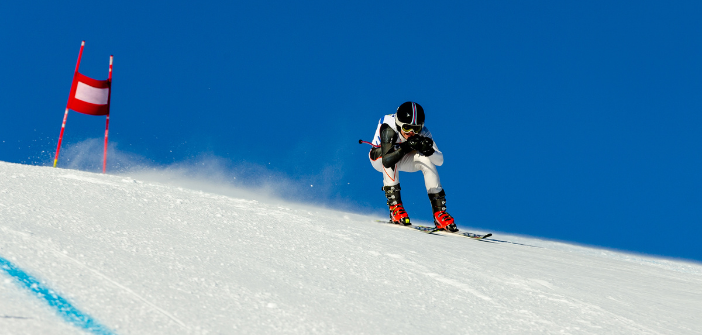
[{"x": 89, "y": 96}]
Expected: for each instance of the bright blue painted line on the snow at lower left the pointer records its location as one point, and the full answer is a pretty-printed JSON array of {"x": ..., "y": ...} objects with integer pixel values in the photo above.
[{"x": 69, "y": 313}]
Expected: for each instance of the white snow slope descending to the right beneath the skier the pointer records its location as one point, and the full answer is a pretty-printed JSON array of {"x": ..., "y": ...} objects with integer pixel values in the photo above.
[{"x": 147, "y": 258}]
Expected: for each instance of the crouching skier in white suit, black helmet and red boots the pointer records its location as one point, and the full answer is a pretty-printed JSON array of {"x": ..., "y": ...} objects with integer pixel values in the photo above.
[{"x": 403, "y": 143}]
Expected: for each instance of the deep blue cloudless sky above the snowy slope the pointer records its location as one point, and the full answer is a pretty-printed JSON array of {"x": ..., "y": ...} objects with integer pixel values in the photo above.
[{"x": 578, "y": 121}]
